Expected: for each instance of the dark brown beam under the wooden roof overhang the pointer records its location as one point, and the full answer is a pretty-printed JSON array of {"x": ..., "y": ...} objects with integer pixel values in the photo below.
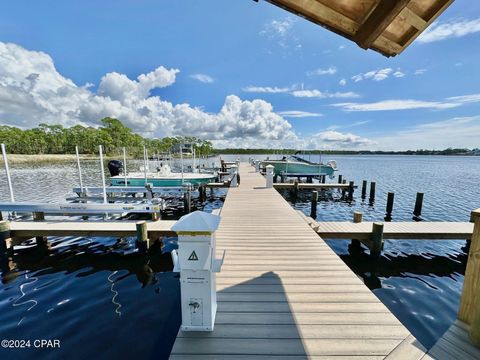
[{"x": 378, "y": 21}]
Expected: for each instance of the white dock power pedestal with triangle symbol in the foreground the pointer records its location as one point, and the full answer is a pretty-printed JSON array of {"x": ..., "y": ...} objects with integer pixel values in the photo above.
[{"x": 197, "y": 265}]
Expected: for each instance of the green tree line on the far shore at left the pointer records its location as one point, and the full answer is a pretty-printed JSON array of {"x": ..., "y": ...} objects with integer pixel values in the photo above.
[{"x": 113, "y": 135}]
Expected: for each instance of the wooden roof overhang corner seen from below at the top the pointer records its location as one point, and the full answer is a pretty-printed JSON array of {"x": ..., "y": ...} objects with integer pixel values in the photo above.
[{"x": 386, "y": 26}]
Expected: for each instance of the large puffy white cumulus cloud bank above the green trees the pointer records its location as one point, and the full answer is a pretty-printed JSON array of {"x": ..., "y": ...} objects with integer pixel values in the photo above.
[{"x": 32, "y": 91}]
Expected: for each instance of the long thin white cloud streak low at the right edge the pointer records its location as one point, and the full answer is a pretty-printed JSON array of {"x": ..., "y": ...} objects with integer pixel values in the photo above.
[{"x": 387, "y": 105}]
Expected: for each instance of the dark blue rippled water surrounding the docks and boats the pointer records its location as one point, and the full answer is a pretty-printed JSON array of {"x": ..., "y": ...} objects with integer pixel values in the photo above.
[{"x": 100, "y": 297}]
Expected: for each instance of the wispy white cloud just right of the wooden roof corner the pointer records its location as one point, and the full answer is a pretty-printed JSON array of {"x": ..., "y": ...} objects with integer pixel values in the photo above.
[{"x": 452, "y": 29}]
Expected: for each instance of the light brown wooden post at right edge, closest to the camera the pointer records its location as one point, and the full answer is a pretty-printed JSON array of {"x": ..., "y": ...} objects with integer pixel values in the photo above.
[{"x": 469, "y": 310}]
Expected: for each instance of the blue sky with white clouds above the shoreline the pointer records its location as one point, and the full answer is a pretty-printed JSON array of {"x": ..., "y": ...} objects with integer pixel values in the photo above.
[{"x": 240, "y": 73}]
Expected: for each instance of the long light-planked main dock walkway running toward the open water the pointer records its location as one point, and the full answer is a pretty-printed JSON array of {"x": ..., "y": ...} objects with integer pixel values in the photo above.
[{"x": 283, "y": 293}]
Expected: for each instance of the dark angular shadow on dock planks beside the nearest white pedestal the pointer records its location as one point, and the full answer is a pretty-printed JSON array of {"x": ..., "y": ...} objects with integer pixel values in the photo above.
[{"x": 240, "y": 332}]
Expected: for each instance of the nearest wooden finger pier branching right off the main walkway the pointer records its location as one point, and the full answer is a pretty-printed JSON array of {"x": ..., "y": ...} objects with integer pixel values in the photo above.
[{"x": 395, "y": 230}]
